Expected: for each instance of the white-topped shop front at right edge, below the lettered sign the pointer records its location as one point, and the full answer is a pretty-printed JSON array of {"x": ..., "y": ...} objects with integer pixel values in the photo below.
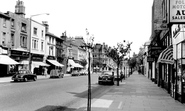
[{"x": 178, "y": 34}]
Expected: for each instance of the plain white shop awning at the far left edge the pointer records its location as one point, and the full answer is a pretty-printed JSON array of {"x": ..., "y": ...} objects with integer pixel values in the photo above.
[{"x": 6, "y": 60}]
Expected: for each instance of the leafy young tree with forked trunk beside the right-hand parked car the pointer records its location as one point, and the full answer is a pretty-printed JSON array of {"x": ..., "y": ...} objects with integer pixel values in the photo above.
[{"x": 118, "y": 53}]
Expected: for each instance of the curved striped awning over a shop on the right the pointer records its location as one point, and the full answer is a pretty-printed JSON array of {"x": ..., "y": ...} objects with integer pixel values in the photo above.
[{"x": 166, "y": 56}]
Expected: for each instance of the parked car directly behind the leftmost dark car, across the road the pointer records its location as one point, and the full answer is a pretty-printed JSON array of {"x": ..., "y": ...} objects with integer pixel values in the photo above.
[{"x": 56, "y": 73}]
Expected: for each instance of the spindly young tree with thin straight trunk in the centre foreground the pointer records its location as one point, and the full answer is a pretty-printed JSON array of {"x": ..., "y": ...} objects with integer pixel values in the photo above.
[{"x": 89, "y": 46}]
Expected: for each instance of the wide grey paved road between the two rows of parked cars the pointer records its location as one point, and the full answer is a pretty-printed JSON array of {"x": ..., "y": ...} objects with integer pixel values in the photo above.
[{"x": 46, "y": 94}]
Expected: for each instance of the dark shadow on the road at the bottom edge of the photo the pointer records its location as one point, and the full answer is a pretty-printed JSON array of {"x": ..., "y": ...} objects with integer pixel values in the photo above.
[{"x": 55, "y": 108}]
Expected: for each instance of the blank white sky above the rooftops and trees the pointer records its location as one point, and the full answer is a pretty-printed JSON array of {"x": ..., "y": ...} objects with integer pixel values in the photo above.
[{"x": 109, "y": 21}]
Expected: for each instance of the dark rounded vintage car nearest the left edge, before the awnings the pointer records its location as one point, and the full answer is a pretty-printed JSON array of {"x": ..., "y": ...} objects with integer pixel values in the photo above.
[{"x": 24, "y": 75}]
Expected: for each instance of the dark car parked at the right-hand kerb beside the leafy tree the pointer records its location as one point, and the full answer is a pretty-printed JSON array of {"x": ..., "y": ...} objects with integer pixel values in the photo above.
[{"x": 106, "y": 77}]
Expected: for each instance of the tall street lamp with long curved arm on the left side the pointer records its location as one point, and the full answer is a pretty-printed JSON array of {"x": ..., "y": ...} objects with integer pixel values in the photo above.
[{"x": 31, "y": 37}]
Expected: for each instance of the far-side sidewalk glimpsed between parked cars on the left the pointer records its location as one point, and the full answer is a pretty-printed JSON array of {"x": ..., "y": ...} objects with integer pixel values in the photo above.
[{"x": 9, "y": 79}]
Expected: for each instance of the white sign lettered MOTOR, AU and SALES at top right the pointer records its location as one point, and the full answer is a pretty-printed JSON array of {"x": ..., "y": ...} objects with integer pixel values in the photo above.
[{"x": 177, "y": 11}]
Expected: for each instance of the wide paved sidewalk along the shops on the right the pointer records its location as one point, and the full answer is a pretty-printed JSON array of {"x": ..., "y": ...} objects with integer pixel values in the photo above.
[{"x": 136, "y": 93}]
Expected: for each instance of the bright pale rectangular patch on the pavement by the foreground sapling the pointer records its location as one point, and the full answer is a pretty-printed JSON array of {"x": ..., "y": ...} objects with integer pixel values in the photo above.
[{"x": 102, "y": 103}]
